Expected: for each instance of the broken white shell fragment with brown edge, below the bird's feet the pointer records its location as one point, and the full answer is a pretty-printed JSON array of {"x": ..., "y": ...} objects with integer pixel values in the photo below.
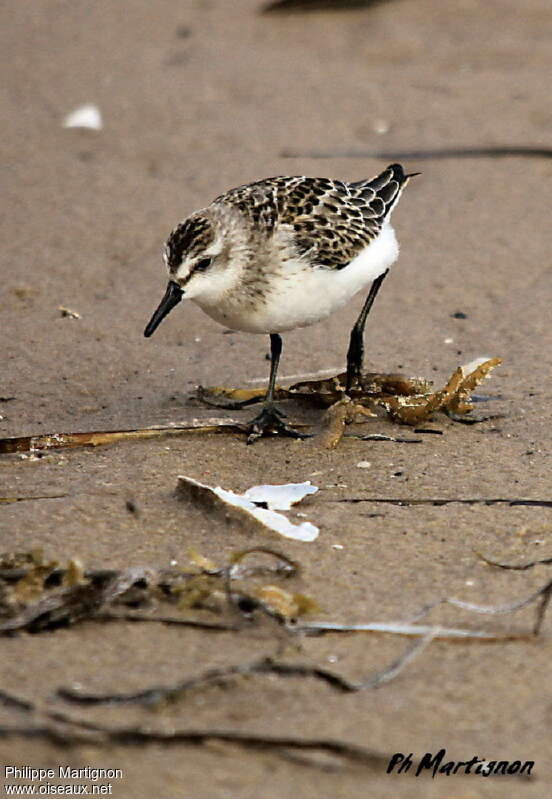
[{"x": 246, "y": 508}]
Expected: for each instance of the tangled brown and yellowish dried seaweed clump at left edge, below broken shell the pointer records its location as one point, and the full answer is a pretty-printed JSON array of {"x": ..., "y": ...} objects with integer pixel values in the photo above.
[{"x": 37, "y": 596}]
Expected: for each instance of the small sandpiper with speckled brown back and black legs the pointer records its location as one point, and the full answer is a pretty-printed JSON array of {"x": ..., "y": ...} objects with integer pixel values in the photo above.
[{"x": 282, "y": 253}]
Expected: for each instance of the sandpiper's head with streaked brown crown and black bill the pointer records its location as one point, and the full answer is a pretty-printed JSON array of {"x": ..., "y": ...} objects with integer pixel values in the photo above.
[{"x": 202, "y": 256}]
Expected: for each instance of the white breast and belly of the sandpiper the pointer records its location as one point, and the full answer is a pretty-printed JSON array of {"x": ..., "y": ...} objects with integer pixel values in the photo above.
[{"x": 299, "y": 294}]
